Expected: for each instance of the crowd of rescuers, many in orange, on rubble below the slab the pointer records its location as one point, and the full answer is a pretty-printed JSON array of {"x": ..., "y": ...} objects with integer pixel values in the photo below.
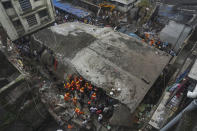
[{"x": 82, "y": 94}]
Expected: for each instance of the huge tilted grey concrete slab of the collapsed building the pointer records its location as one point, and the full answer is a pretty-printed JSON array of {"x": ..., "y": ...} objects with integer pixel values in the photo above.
[{"x": 108, "y": 59}]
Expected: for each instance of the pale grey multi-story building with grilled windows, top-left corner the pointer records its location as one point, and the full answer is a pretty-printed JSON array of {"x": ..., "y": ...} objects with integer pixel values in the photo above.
[{"x": 22, "y": 17}]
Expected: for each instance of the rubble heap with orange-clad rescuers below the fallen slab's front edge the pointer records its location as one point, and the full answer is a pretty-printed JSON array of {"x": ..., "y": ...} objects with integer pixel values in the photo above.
[{"x": 77, "y": 102}]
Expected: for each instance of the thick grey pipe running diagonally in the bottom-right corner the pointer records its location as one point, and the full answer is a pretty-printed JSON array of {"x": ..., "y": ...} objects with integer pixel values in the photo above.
[{"x": 191, "y": 106}]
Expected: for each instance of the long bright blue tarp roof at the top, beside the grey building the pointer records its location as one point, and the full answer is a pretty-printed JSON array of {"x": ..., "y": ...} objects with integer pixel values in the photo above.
[{"x": 71, "y": 9}]
